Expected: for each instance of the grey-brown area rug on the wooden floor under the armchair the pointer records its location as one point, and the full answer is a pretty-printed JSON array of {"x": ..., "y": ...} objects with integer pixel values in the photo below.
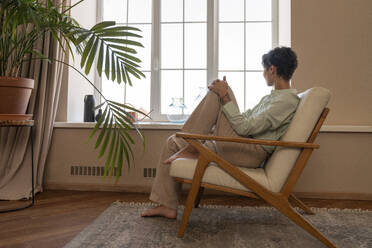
[{"x": 215, "y": 226}]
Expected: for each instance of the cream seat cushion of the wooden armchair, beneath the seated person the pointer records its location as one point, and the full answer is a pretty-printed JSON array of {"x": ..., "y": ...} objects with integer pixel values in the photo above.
[{"x": 185, "y": 168}]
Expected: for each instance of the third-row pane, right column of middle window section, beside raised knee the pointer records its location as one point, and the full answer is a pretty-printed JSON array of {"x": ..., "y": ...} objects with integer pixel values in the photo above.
[{"x": 195, "y": 88}]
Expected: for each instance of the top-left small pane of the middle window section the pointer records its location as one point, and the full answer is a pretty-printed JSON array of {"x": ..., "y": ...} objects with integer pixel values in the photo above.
[{"x": 171, "y": 10}]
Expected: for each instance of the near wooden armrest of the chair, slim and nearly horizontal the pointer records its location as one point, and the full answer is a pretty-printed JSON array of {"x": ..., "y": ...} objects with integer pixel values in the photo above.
[{"x": 248, "y": 140}]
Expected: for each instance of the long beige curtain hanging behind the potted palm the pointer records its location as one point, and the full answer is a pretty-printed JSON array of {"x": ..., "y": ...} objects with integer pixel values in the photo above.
[{"x": 15, "y": 149}]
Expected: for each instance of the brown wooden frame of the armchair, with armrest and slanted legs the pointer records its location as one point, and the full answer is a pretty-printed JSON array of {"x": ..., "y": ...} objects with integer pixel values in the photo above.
[{"x": 278, "y": 200}]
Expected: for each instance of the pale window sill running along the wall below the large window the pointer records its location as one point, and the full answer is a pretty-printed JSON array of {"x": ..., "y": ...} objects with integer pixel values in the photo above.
[{"x": 155, "y": 125}]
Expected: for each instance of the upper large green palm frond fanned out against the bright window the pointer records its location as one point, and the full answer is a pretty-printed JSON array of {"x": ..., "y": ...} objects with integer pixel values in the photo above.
[{"x": 115, "y": 53}]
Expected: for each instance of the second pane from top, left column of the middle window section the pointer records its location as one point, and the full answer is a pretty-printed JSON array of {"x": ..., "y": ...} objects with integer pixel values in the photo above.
[{"x": 171, "y": 46}]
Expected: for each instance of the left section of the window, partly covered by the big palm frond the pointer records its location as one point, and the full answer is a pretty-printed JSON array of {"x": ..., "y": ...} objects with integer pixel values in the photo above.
[{"x": 136, "y": 13}]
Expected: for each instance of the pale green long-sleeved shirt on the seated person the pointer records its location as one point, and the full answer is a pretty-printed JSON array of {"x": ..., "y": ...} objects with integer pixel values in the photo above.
[{"x": 269, "y": 119}]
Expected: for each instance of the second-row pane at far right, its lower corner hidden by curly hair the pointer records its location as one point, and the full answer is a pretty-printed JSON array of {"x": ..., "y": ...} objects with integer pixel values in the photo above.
[{"x": 258, "y": 42}]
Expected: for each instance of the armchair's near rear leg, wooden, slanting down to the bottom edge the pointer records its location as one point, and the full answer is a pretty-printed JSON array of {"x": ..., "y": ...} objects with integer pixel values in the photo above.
[{"x": 286, "y": 209}]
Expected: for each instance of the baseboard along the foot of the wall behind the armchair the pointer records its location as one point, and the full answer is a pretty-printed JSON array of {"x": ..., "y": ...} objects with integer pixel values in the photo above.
[{"x": 147, "y": 189}]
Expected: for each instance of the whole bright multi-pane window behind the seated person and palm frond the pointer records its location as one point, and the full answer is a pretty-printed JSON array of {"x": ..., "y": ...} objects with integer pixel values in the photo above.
[{"x": 188, "y": 43}]
